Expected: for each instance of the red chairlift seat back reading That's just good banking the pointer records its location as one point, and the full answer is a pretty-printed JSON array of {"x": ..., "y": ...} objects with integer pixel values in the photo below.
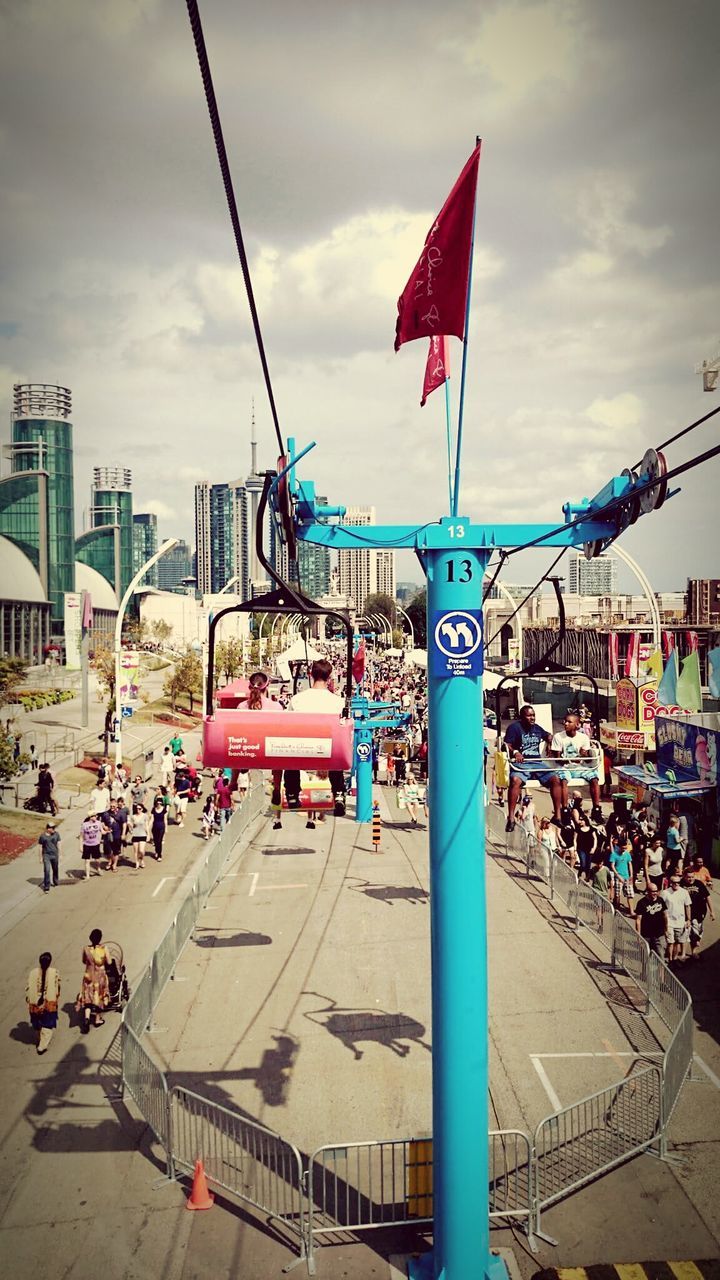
[{"x": 240, "y": 739}]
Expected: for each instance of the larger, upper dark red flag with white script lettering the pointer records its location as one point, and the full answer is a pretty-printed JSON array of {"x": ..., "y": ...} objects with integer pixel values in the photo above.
[{"x": 435, "y": 299}]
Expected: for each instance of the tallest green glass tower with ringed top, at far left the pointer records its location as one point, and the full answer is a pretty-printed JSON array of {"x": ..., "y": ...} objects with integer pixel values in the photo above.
[{"x": 38, "y": 499}]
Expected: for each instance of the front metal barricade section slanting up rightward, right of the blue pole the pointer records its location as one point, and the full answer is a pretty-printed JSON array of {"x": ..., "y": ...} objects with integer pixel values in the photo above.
[{"x": 589, "y": 1139}]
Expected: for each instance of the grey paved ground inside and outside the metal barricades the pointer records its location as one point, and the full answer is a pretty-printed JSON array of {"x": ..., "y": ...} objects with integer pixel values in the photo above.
[{"x": 307, "y": 1004}]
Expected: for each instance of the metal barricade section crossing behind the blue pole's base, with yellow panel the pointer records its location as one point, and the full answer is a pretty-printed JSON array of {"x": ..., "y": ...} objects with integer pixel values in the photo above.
[{"x": 364, "y": 1186}]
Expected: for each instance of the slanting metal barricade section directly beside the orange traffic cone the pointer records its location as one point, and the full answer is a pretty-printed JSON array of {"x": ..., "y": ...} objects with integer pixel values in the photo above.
[{"x": 245, "y": 1159}]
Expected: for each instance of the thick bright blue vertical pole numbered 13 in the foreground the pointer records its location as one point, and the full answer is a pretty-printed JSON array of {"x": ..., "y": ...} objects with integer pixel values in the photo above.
[{"x": 459, "y": 943}]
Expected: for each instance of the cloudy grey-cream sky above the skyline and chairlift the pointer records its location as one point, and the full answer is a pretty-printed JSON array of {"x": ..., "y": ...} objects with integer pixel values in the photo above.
[{"x": 596, "y": 268}]
